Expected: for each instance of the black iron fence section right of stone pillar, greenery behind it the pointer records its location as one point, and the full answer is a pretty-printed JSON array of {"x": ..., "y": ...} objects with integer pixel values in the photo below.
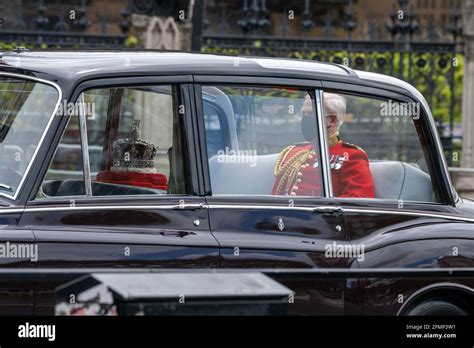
[{"x": 429, "y": 57}]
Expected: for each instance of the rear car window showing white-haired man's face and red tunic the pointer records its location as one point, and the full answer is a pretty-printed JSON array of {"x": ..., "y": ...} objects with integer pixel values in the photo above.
[{"x": 375, "y": 148}]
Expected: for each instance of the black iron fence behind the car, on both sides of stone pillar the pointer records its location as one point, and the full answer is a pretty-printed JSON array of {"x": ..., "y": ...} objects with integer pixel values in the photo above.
[{"x": 427, "y": 55}]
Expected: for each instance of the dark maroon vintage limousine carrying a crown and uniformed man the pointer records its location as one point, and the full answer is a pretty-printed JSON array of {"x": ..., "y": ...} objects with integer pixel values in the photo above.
[{"x": 178, "y": 160}]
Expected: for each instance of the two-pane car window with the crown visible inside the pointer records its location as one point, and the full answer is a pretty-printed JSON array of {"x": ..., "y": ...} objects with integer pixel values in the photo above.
[{"x": 135, "y": 145}]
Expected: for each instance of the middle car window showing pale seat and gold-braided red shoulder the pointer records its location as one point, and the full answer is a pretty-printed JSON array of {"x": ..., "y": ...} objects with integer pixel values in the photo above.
[{"x": 270, "y": 141}]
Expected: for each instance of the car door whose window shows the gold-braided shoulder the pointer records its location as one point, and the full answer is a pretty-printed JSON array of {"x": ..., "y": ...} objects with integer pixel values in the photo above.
[{"x": 249, "y": 127}]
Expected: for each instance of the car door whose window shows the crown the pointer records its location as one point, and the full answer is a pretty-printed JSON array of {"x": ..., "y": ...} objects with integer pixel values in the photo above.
[{"x": 121, "y": 189}]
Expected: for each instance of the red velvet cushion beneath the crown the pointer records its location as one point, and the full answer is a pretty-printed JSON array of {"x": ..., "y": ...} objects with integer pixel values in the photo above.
[{"x": 151, "y": 180}]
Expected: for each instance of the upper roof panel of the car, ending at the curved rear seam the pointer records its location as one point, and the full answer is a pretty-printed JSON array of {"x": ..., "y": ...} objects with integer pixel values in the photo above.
[{"x": 80, "y": 63}]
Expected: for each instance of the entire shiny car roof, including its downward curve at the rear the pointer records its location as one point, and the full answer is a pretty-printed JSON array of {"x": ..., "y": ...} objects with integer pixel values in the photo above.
[{"x": 72, "y": 66}]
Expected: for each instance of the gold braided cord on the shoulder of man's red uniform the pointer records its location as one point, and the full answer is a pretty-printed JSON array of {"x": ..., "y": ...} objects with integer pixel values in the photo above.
[{"x": 288, "y": 172}]
